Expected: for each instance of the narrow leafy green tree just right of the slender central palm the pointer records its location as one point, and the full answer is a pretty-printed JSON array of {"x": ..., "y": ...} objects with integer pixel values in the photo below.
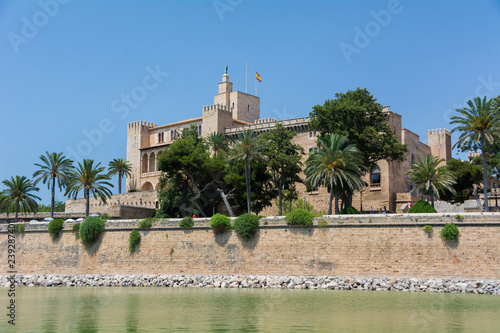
[{"x": 283, "y": 159}]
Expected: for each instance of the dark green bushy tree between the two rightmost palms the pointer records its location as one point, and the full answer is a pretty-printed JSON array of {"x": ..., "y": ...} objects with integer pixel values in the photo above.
[{"x": 466, "y": 174}]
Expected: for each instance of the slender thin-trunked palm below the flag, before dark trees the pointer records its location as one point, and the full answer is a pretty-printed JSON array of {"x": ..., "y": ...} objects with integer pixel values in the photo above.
[{"x": 248, "y": 148}]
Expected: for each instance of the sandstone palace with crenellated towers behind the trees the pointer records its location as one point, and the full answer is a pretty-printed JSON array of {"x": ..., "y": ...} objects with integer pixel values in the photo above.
[{"x": 232, "y": 111}]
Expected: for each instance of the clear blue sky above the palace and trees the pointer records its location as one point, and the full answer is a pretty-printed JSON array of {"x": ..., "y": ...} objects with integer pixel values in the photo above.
[{"x": 74, "y": 73}]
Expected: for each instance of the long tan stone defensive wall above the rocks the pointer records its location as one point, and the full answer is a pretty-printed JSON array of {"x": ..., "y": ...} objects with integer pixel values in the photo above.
[{"x": 384, "y": 245}]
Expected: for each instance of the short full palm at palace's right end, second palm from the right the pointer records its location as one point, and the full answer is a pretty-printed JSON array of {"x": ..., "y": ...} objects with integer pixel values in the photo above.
[{"x": 426, "y": 173}]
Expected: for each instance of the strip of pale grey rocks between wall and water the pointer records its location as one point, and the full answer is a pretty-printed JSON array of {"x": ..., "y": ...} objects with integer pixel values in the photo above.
[{"x": 256, "y": 281}]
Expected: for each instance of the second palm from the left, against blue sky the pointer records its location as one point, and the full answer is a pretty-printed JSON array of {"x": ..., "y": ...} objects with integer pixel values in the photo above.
[{"x": 55, "y": 167}]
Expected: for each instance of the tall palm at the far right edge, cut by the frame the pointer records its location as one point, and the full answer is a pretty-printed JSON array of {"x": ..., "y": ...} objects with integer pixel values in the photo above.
[{"x": 479, "y": 123}]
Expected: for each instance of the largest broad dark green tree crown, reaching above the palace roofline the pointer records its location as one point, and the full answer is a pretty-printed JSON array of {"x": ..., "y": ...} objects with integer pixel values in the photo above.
[{"x": 356, "y": 115}]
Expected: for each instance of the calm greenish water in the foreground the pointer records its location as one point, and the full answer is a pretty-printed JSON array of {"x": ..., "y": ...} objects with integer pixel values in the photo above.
[{"x": 247, "y": 310}]
